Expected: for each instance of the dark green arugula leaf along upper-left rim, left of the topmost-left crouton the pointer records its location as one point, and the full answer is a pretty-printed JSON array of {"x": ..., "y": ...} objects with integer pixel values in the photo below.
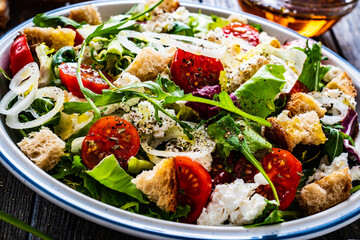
[{"x": 43, "y": 20}]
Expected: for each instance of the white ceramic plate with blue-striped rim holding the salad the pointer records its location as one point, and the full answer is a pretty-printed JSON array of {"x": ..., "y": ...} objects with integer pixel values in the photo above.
[{"x": 20, "y": 166}]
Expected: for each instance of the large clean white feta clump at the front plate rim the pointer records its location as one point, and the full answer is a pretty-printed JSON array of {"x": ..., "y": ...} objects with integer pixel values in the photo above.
[{"x": 234, "y": 202}]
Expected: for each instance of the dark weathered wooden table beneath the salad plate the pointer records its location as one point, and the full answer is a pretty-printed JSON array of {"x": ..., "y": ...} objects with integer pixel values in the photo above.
[{"x": 20, "y": 201}]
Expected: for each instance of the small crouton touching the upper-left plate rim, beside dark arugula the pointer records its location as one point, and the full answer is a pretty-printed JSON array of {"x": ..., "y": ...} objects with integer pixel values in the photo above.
[{"x": 88, "y": 14}]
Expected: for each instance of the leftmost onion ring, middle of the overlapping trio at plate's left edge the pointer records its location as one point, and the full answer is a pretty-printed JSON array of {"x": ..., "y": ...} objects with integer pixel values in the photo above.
[{"x": 20, "y": 105}]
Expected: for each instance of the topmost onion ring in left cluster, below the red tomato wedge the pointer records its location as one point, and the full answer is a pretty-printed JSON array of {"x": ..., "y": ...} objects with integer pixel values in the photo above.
[{"x": 25, "y": 78}]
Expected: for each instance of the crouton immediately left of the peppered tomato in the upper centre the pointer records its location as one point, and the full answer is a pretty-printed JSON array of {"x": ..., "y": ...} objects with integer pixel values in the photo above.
[{"x": 148, "y": 64}]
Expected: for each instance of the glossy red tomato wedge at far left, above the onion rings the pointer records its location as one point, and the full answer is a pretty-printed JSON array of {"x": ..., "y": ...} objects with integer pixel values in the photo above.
[{"x": 20, "y": 54}]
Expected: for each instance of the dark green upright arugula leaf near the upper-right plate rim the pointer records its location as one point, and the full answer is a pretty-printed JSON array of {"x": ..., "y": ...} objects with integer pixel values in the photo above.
[{"x": 312, "y": 72}]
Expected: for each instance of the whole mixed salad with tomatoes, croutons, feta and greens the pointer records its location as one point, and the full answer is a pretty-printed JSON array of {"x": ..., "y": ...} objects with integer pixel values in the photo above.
[{"x": 183, "y": 116}]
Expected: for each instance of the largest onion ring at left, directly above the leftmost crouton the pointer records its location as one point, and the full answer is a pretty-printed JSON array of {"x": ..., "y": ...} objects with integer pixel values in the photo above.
[{"x": 50, "y": 92}]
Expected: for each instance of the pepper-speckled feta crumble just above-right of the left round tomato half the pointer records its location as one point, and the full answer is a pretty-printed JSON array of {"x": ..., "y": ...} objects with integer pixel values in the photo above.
[{"x": 143, "y": 118}]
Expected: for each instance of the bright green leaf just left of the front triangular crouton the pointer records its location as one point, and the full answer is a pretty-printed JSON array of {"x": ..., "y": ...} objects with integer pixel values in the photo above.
[{"x": 110, "y": 174}]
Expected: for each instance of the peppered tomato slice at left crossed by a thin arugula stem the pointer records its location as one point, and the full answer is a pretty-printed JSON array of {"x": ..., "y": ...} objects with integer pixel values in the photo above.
[{"x": 90, "y": 78}]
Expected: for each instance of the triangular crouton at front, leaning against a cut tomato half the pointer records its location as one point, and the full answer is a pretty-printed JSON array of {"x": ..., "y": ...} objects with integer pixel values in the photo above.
[{"x": 160, "y": 184}]
